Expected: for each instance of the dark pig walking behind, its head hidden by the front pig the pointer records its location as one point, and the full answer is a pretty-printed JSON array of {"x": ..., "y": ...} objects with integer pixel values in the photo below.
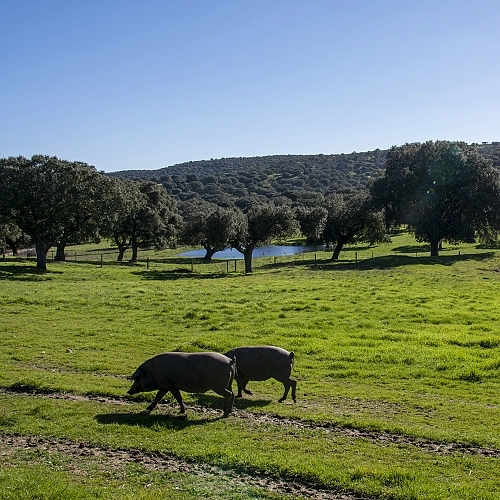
[{"x": 262, "y": 363}]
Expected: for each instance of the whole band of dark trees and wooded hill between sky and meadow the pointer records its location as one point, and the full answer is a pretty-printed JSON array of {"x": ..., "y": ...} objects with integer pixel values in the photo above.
[{"x": 440, "y": 190}]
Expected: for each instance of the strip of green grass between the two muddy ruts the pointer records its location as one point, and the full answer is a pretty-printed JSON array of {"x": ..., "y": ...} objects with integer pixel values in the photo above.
[{"x": 313, "y": 455}]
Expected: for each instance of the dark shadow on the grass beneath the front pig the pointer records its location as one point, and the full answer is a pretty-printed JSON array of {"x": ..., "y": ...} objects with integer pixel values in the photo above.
[{"x": 155, "y": 421}]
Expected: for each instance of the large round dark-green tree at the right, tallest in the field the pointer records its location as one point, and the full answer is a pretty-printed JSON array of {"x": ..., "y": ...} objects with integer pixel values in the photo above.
[{"x": 443, "y": 190}]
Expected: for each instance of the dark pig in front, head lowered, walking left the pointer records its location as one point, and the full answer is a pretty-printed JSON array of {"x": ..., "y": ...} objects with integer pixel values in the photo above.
[{"x": 190, "y": 372}]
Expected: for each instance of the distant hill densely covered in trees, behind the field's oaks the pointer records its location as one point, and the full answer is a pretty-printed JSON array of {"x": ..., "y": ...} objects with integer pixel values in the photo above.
[{"x": 298, "y": 177}]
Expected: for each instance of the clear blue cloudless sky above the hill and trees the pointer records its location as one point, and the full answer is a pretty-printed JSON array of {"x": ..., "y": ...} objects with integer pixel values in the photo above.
[{"x": 143, "y": 84}]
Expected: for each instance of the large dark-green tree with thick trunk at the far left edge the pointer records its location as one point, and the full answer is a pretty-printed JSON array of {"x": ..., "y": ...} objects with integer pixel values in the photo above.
[{"x": 51, "y": 200}]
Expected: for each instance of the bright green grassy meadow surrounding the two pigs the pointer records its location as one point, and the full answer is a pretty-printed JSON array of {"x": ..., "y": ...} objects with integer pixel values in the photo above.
[{"x": 397, "y": 363}]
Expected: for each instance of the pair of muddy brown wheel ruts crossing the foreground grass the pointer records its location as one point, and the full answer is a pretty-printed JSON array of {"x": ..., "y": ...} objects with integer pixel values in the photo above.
[{"x": 159, "y": 461}]
